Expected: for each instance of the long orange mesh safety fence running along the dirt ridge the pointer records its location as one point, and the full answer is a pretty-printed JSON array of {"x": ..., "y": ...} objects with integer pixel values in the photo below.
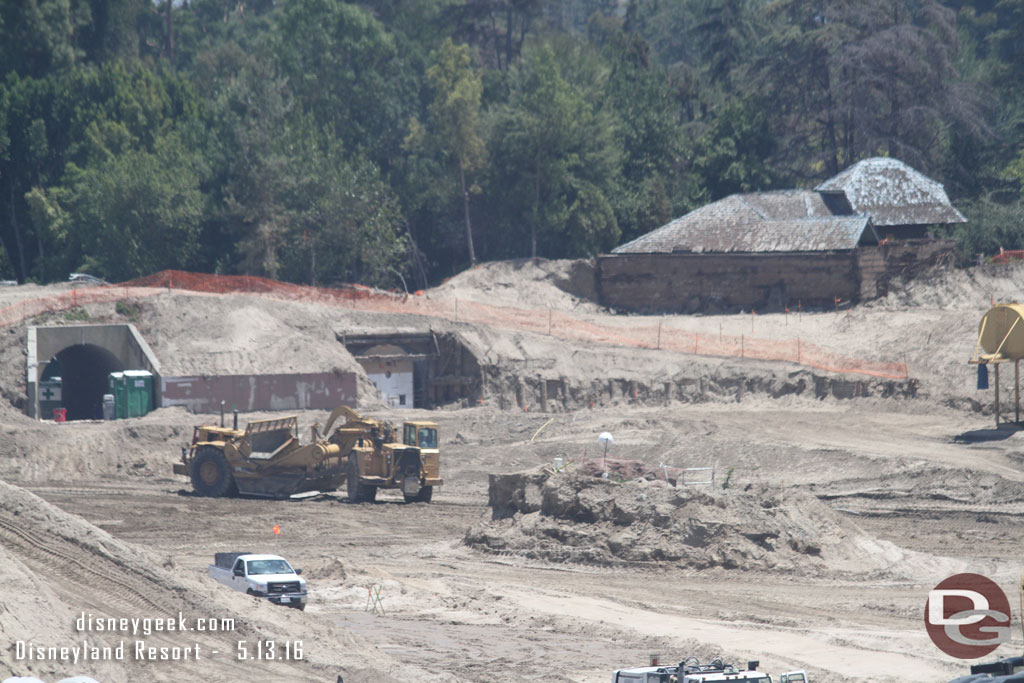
[{"x": 634, "y": 332}]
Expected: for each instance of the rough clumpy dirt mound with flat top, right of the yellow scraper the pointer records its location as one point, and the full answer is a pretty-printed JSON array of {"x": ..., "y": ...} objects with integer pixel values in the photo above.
[{"x": 579, "y": 518}]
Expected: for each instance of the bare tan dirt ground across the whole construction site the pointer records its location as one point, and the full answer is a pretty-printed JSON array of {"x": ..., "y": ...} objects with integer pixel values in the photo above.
[{"x": 831, "y": 517}]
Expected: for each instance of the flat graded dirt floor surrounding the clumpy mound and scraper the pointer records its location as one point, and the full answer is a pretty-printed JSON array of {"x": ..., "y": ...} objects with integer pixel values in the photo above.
[{"x": 900, "y": 477}]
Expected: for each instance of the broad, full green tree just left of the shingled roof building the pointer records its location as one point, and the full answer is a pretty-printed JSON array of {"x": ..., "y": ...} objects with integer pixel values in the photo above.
[{"x": 562, "y": 159}]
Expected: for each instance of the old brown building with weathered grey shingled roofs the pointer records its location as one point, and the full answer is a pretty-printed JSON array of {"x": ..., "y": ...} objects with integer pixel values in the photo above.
[{"x": 763, "y": 251}]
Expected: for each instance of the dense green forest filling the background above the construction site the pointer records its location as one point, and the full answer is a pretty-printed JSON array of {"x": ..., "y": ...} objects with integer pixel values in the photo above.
[{"x": 396, "y": 143}]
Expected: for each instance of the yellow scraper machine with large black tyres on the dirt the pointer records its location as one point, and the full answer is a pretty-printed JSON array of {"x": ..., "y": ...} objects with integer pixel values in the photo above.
[{"x": 267, "y": 458}]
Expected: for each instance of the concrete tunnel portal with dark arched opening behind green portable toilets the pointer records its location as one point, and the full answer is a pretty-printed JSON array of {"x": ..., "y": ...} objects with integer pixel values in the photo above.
[{"x": 87, "y": 355}]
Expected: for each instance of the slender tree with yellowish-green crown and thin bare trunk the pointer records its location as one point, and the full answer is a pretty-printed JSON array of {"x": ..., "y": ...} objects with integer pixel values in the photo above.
[{"x": 454, "y": 121}]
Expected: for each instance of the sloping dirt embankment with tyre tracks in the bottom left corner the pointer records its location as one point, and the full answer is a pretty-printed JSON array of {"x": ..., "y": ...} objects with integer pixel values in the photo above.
[{"x": 58, "y": 568}]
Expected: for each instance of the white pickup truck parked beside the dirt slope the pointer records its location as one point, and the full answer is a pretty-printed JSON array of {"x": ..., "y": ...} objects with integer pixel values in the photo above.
[{"x": 268, "y": 577}]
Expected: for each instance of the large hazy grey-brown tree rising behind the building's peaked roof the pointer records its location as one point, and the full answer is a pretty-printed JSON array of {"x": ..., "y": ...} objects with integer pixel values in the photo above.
[{"x": 849, "y": 80}]
